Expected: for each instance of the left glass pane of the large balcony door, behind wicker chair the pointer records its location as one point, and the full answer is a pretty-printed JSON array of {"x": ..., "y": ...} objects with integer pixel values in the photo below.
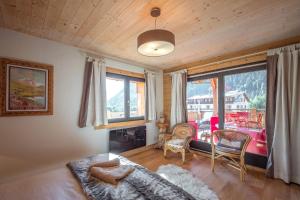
[{"x": 202, "y": 105}]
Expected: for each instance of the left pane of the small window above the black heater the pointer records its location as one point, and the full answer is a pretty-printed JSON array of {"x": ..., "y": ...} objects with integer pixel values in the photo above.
[{"x": 115, "y": 98}]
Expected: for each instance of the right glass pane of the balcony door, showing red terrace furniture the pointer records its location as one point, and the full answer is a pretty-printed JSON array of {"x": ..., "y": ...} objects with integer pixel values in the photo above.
[{"x": 245, "y": 107}]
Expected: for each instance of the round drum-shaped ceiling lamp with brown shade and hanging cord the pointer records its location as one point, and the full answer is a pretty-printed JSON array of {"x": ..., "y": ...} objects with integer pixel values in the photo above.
[{"x": 156, "y": 42}]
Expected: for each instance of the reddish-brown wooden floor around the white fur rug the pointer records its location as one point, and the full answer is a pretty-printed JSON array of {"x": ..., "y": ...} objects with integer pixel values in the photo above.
[{"x": 225, "y": 181}]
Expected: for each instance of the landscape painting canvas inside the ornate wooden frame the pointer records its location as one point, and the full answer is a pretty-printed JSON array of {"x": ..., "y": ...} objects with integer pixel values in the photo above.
[{"x": 27, "y": 89}]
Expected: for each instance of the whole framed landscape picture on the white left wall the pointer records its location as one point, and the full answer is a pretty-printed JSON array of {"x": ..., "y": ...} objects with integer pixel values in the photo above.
[{"x": 26, "y": 88}]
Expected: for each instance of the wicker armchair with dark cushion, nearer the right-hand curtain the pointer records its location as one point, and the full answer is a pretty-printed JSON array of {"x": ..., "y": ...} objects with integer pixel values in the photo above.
[{"x": 231, "y": 145}]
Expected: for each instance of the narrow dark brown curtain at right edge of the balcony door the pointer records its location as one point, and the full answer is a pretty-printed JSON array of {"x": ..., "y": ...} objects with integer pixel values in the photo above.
[{"x": 270, "y": 110}]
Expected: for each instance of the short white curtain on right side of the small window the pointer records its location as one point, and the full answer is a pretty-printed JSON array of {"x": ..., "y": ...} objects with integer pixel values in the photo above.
[{"x": 150, "y": 81}]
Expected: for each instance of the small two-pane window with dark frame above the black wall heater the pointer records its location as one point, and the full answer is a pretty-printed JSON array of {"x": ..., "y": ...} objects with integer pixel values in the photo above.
[{"x": 125, "y": 98}]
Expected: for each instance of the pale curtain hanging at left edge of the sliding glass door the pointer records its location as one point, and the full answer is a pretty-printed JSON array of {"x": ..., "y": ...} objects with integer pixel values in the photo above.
[{"x": 178, "y": 97}]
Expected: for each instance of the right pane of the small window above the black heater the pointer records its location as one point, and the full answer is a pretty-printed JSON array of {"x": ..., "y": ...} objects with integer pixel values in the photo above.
[{"x": 137, "y": 98}]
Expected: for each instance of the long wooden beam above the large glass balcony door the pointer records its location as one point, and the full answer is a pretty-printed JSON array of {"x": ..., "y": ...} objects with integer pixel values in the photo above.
[{"x": 238, "y": 54}]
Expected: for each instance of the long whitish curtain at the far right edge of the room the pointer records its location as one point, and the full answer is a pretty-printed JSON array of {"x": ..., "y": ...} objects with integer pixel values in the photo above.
[{"x": 286, "y": 141}]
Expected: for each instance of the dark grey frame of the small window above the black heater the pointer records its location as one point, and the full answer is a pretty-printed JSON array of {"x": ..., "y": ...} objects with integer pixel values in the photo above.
[{"x": 126, "y": 80}]
